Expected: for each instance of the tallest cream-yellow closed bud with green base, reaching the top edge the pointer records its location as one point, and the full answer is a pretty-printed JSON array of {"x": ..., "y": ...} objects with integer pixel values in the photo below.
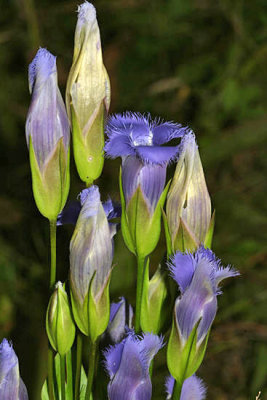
[{"x": 88, "y": 96}]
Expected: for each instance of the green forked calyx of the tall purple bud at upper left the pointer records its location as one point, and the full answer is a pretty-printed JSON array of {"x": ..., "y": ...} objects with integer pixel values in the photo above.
[{"x": 51, "y": 186}]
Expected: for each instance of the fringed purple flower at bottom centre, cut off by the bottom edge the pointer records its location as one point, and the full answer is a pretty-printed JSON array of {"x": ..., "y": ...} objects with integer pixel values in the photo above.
[{"x": 128, "y": 364}]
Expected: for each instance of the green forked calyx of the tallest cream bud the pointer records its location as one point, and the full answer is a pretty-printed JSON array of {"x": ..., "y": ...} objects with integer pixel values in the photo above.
[{"x": 88, "y": 147}]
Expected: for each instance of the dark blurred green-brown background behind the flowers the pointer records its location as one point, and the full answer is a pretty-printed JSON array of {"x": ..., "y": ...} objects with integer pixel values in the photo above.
[{"x": 197, "y": 62}]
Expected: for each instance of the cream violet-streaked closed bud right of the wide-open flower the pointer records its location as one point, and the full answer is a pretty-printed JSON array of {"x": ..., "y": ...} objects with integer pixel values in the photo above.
[{"x": 188, "y": 207}]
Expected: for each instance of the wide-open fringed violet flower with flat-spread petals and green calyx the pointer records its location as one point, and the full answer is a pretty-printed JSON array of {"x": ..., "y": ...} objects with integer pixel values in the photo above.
[{"x": 140, "y": 142}]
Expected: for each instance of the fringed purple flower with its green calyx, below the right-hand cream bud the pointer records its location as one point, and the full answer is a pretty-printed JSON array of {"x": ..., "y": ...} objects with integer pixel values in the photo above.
[{"x": 198, "y": 277}]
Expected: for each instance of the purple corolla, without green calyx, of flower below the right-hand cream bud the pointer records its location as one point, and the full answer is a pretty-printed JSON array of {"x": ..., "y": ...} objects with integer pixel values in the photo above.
[{"x": 198, "y": 277}]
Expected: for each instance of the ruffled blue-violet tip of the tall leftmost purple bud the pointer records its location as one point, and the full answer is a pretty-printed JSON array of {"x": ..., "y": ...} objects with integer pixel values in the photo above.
[{"x": 43, "y": 64}]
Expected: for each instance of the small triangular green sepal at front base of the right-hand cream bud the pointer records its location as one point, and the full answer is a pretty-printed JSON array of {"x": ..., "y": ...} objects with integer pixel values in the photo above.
[{"x": 184, "y": 239}]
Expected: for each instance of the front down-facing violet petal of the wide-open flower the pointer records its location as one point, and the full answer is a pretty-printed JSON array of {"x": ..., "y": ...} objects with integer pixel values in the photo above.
[{"x": 157, "y": 154}]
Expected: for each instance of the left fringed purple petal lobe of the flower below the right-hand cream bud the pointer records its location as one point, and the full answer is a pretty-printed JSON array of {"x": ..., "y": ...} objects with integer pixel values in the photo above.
[{"x": 182, "y": 267}]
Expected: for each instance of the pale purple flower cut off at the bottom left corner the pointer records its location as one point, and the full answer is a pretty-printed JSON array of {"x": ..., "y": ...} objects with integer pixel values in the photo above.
[{"x": 11, "y": 385}]
